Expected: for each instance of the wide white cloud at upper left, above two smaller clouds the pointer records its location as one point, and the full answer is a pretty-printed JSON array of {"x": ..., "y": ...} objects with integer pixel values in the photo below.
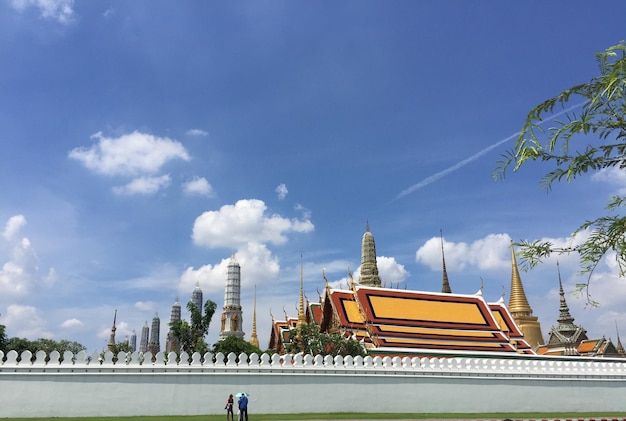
[{"x": 130, "y": 154}]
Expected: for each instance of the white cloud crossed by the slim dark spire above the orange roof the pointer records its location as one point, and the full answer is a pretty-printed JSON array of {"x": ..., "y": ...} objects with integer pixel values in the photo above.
[{"x": 490, "y": 253}]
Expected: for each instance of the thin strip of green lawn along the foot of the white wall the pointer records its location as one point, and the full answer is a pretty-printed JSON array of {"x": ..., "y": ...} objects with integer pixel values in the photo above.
[{"x": 341, "y": 416}]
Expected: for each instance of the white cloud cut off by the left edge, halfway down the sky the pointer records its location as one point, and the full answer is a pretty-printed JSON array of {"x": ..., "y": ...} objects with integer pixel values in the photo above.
[{"x": 20, "y": 273}]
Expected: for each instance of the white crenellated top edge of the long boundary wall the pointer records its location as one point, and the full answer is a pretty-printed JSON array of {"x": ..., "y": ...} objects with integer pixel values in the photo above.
[{"x": 321, "y": 364}]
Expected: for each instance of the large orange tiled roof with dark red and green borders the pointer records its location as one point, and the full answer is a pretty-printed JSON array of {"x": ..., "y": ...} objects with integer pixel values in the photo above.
[{"x": 437, "y": 321}]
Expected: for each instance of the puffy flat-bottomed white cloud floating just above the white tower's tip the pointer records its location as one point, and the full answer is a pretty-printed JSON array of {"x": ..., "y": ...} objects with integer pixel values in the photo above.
[{"x": 235, "y": 226}]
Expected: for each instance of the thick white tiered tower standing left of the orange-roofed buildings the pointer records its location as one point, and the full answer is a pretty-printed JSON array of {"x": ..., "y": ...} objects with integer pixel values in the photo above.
[{"x": 232, "y": 318}]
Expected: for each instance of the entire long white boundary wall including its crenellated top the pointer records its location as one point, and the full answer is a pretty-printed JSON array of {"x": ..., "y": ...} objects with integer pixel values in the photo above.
[{"x": 83, "y": 386}]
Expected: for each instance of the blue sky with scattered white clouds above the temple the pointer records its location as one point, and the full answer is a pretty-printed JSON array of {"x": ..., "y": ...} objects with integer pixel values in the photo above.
[{"x": 145, "y": 142}]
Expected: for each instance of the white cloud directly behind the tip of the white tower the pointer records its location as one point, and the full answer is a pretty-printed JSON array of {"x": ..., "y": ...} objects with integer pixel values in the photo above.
[{"x": 258, "y": 266}]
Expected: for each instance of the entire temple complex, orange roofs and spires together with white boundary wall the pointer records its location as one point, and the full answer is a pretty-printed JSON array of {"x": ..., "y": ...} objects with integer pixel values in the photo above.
[{"x": 426, "y": 353}]
